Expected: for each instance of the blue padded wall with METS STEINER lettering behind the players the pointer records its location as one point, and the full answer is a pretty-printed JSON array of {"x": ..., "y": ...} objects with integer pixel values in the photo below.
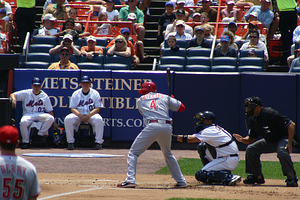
[{"x": 222, "y": 93}]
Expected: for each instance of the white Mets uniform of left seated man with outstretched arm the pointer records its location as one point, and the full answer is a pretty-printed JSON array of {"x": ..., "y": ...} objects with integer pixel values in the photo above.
[{"x": 35, "y": 113}]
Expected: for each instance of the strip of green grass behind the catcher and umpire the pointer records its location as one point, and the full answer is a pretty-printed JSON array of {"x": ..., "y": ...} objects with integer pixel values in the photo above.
[{"x": 189, "y": 166}]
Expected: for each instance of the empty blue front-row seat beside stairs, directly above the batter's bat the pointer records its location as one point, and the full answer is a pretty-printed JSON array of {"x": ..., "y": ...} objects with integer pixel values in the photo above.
[{"x": 175, "y": 63}]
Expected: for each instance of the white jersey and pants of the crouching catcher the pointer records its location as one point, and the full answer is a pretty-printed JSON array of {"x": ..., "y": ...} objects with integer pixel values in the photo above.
[{"x": 226, "y": 157}]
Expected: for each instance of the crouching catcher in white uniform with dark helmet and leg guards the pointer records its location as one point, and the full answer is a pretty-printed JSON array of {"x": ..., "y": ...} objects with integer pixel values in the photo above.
[{"x": 218, "y": 152}]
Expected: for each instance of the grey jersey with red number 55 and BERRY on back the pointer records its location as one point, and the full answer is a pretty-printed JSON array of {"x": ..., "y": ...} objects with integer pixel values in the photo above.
[{"x": 18, "y": 178}]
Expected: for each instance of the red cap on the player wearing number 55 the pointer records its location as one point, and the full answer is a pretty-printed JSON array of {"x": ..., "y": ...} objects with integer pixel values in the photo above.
[{"x": 9, "y": 134}]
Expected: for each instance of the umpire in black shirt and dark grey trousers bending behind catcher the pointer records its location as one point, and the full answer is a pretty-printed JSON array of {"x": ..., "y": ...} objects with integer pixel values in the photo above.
[{"x": 277, "y": 132}]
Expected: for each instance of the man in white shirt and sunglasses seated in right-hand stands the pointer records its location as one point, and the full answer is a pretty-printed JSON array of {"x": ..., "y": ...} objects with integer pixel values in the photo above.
[{"x": 255, "y": 43}]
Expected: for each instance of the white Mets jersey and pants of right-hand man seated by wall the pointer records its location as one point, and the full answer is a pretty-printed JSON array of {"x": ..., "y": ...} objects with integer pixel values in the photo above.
[{"x": 84, "y": 104}]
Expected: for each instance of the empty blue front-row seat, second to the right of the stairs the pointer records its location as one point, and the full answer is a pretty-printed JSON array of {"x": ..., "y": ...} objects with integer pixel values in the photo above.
[{"x": 199, "y": 64}]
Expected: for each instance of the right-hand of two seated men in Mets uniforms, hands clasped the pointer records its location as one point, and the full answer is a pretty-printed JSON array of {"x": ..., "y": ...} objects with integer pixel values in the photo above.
[{"x": 85, "y": 107}]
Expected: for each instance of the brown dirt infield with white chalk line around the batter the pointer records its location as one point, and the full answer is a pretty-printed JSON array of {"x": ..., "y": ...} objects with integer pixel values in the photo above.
[{"x": 96, "y": 178}]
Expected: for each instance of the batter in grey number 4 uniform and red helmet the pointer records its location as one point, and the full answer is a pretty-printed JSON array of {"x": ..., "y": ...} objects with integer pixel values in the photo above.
[{"x": 155, "y": 110}]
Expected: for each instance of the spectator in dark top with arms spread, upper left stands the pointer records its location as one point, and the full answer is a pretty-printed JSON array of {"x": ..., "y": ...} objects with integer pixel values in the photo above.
[{"x": 69, "y": 28}]
